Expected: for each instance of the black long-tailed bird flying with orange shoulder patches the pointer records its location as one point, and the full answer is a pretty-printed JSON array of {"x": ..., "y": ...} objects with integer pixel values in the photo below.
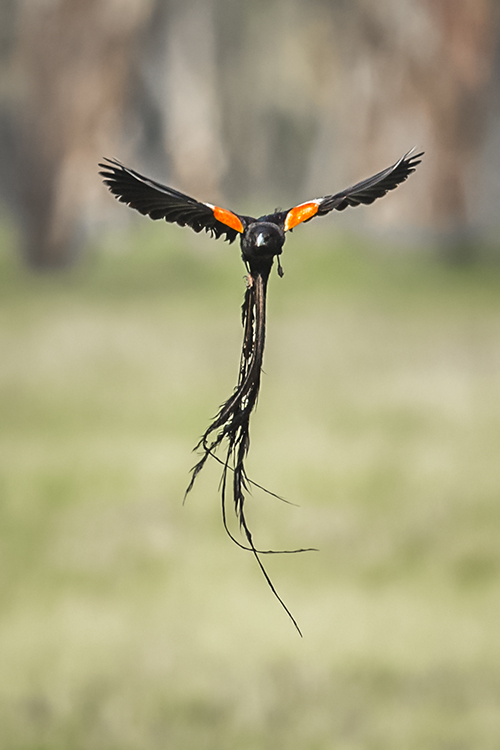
[{"x": 261, "y": 241}]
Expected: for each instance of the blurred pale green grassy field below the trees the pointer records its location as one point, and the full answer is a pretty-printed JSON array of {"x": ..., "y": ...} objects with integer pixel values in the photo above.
[{"x": 129, "y": 621}]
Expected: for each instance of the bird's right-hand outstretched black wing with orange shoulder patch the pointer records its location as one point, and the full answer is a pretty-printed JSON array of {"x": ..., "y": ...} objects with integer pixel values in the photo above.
[{"x": 363, "y": 192}]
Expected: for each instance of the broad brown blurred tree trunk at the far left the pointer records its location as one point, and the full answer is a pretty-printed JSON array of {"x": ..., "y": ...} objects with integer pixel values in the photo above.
[{"x": 71, "y": 66}]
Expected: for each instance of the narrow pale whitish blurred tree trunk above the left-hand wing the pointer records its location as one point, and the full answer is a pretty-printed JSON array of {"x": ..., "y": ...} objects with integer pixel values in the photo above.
[{"x": 181, "y": 76}]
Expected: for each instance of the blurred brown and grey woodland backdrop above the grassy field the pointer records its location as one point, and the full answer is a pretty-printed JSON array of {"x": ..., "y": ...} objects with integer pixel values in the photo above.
[{"x": 259, "y": 103}]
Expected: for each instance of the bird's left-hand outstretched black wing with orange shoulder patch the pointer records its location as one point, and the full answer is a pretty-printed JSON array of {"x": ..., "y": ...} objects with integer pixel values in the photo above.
[{"x": 161, "y": 202}]
